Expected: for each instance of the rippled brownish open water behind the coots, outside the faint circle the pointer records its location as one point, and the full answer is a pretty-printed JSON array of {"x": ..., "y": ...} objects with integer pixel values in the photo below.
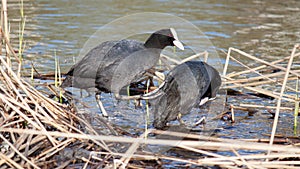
[{"x": 264, "y": 28}]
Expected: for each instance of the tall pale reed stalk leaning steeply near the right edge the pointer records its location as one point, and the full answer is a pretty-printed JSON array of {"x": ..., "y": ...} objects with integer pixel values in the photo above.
[{"x": 289, "y": 65}]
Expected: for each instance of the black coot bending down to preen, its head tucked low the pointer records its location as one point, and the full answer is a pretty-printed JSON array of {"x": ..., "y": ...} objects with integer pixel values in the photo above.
[{"x": 189, "y": 84}]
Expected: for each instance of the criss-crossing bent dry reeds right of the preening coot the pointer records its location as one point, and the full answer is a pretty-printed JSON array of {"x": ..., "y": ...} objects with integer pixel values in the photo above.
[{"x": 253, "y": 83}]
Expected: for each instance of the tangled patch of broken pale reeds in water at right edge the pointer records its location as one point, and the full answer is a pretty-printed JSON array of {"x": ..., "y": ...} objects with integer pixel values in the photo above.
[{"x": 255, "y": 79}]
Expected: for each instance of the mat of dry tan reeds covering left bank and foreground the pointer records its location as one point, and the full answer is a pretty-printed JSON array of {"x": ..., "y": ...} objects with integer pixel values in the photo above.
[{"x": 38, "y": 132}]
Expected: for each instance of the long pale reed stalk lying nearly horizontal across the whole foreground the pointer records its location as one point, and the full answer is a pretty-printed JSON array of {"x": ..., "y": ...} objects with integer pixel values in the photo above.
[{"x": 236, "y": 144}]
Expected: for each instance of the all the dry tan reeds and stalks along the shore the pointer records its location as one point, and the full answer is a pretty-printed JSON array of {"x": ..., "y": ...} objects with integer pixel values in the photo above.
[{"x": 37, "y": 131}]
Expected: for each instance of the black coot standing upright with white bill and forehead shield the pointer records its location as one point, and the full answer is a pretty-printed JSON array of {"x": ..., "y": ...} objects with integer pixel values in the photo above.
[{"x": 113, "y": 65}]
